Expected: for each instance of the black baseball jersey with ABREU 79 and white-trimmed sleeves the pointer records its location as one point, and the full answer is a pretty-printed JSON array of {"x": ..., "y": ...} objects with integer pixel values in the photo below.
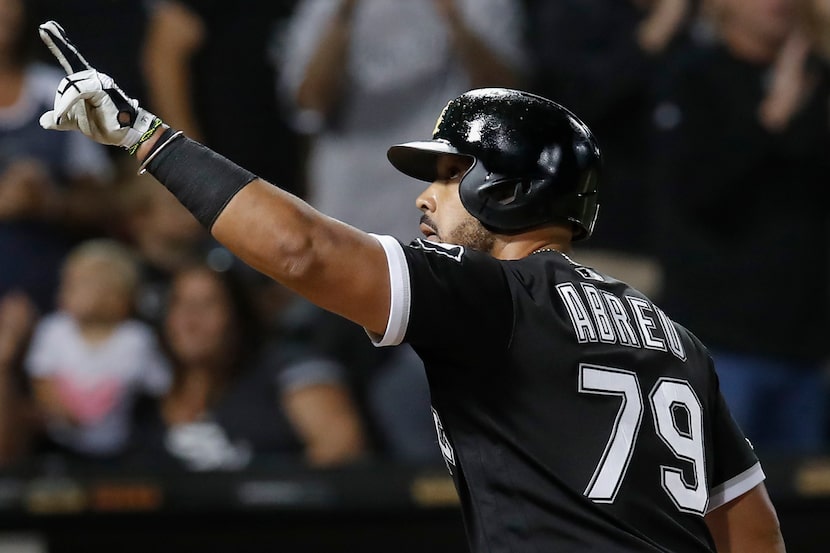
[{"x": 571, "y": 412}]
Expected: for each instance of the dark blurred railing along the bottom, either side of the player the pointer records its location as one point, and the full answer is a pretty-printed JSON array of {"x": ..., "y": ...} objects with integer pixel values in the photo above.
[{"x": 363, "y": 509}]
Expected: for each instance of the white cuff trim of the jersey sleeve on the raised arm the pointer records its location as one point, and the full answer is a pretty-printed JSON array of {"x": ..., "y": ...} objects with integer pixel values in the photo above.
[{"x": 400, "y": 290}]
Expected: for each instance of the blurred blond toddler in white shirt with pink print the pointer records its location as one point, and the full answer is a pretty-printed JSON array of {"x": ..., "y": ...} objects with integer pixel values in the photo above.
[{"x": 89, "y": 360}]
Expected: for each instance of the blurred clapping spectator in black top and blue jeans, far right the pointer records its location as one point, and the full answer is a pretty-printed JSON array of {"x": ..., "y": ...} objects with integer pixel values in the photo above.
[{"x": 741, "y": 162}]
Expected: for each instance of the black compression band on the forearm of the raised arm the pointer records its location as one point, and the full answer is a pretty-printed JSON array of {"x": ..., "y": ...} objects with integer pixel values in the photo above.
[{"x": 202, "y": 180}]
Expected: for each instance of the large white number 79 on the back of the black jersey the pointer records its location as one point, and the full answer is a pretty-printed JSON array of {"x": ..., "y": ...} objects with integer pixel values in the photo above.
[{"x": 666, "y": 397}]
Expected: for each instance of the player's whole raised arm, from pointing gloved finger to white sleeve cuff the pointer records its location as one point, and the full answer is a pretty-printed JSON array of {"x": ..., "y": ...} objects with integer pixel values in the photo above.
[{"x": 338, "y": 267}]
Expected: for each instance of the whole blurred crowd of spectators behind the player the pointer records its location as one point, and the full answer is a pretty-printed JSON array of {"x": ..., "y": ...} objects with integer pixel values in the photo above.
[{"x": 128, "y": 336}]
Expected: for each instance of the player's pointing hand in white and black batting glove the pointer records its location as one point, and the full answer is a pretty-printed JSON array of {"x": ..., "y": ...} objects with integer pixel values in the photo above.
[{"x": 91, "y": 102}]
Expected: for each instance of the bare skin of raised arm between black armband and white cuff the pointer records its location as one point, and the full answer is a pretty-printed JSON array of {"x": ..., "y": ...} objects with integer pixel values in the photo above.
[{"x": 333, "y": 265}]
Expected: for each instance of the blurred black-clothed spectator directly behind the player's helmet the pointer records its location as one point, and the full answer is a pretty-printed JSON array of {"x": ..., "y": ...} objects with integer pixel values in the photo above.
[{"x": 599, "y": 57}]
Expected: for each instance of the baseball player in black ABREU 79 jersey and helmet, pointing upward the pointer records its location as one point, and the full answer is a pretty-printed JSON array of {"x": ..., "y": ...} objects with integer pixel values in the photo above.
[{"x": 572, "y": 413}]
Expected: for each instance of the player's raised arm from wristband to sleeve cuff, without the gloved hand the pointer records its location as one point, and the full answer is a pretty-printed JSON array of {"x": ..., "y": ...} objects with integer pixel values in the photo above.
[{"x": 328, "y": 262}]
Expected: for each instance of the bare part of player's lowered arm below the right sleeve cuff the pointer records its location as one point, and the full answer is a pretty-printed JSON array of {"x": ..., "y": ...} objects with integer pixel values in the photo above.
[{"x": 747, "y": 524}]
